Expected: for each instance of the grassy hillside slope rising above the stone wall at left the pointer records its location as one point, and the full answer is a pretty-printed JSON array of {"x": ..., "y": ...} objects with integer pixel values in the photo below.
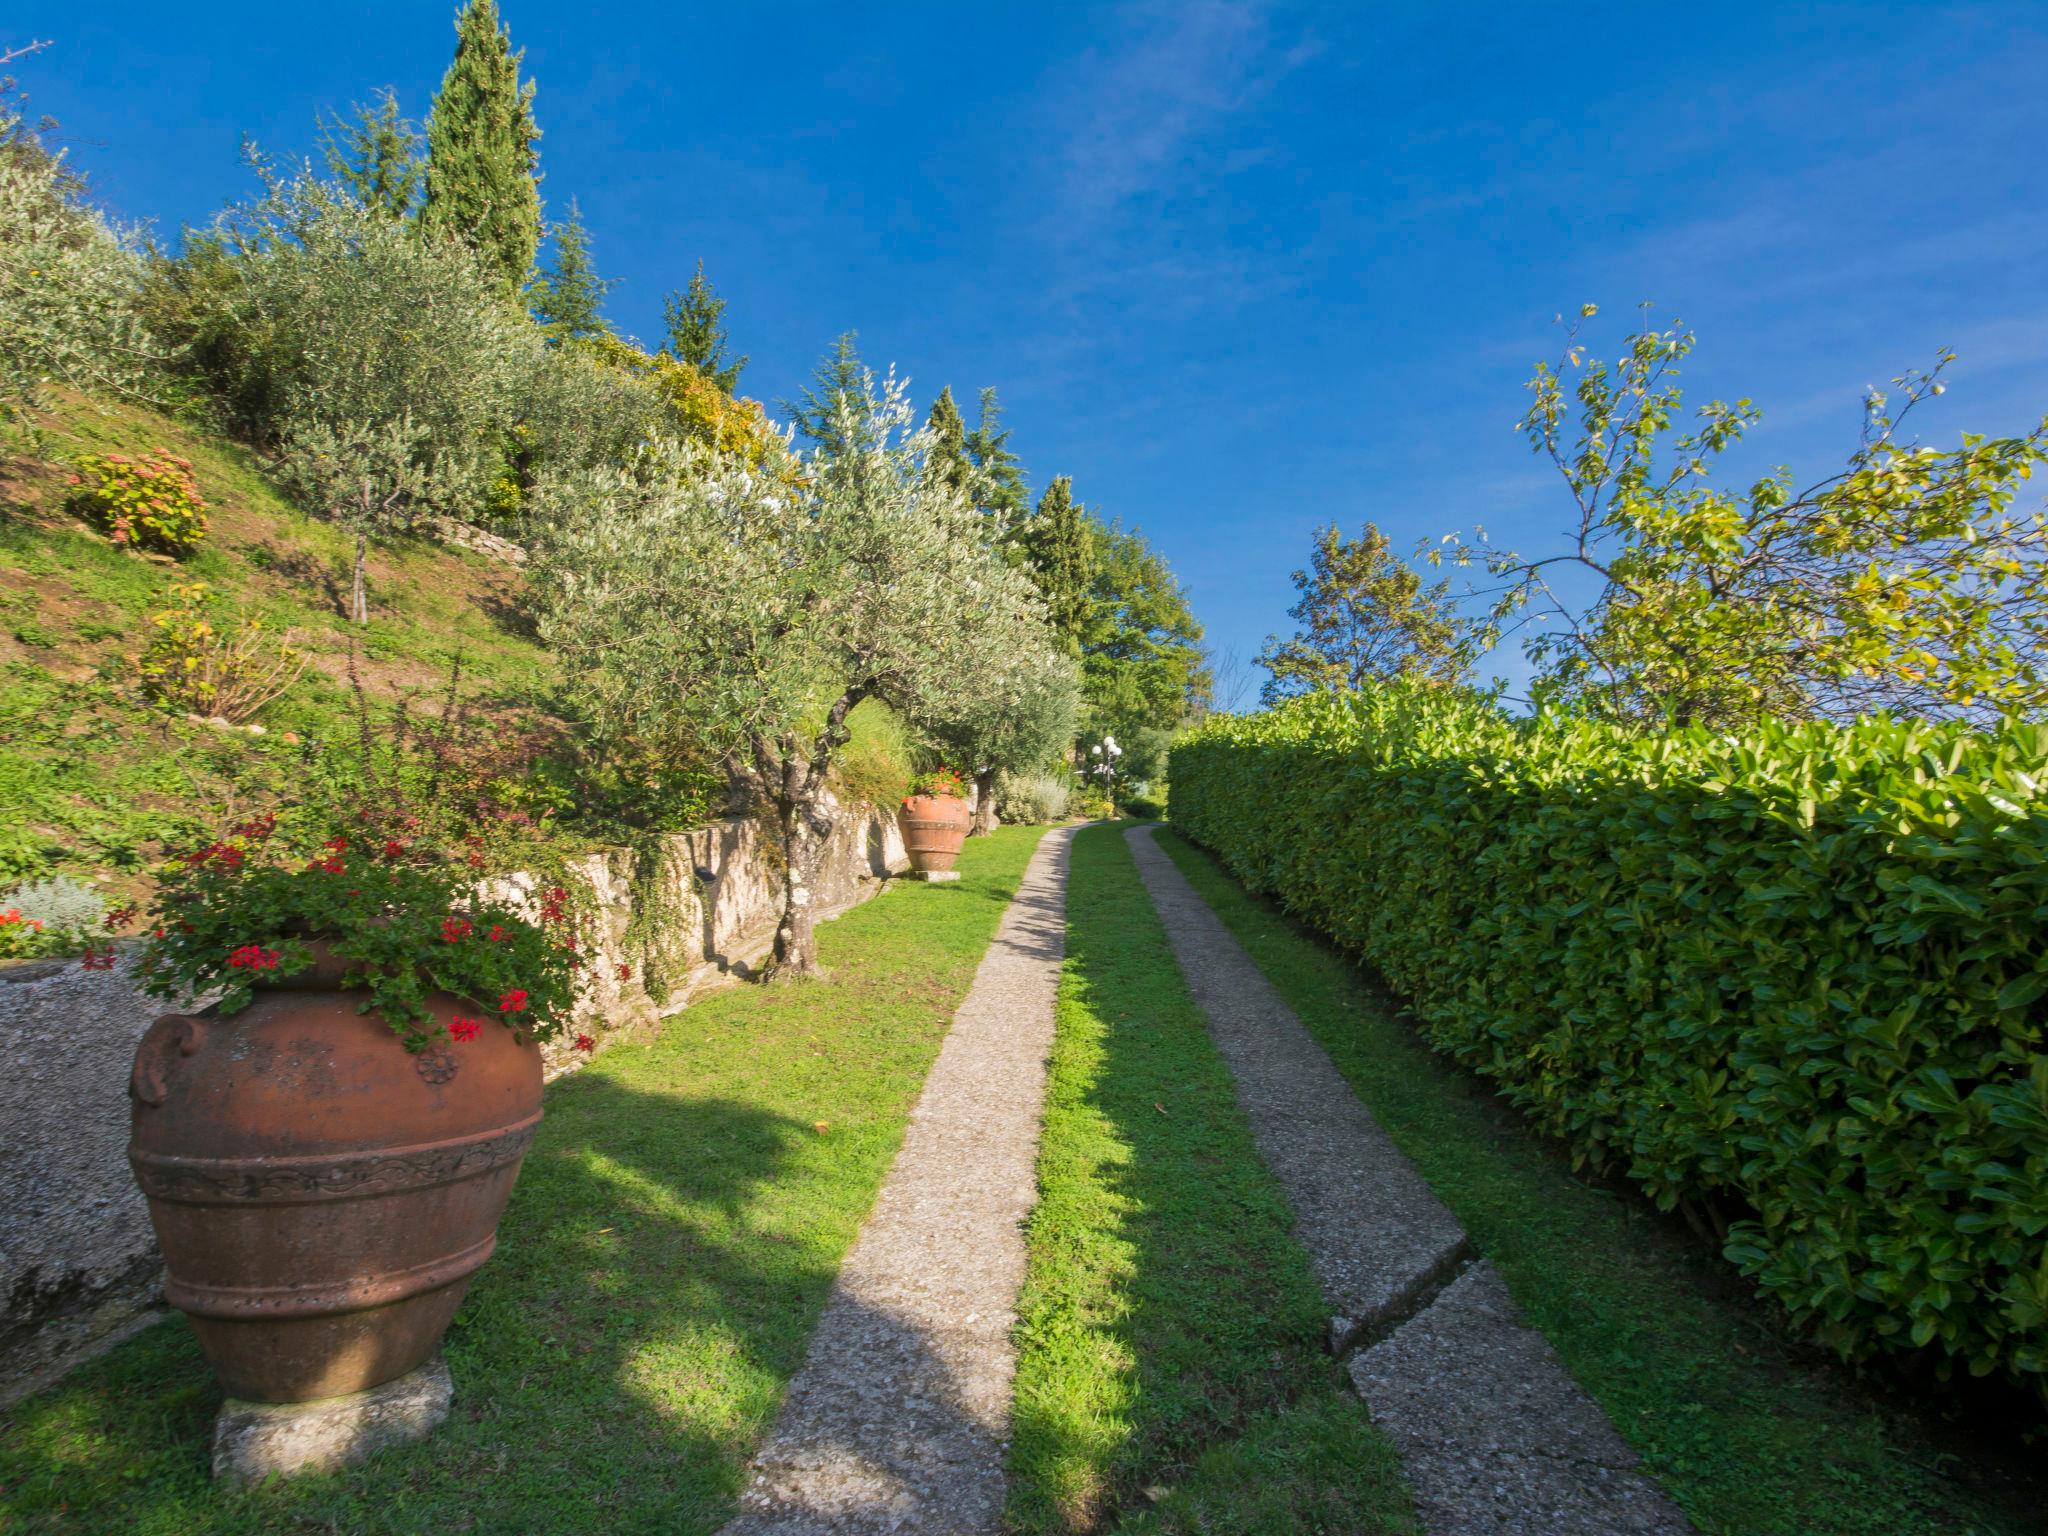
[{"x": 99, "y": 783}]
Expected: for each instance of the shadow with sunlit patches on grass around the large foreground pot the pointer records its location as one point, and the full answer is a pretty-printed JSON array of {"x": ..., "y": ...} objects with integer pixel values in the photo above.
[{"x": 613, "y": 1363}]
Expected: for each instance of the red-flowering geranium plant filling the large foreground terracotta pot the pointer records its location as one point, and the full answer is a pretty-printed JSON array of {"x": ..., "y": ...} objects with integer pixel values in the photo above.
[{"x": 404, "y": 919}]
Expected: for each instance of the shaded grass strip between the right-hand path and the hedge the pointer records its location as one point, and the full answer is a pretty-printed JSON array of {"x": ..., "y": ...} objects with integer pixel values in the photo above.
[{"x": 1748, "y": 1431}]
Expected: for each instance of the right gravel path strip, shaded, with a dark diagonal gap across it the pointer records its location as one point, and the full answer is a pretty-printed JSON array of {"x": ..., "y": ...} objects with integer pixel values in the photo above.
[{"x": 1494, "y": 1433}]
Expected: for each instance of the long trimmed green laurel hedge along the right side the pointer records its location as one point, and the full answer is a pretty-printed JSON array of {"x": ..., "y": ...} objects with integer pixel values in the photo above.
[{"x": 1795, "y": 982}]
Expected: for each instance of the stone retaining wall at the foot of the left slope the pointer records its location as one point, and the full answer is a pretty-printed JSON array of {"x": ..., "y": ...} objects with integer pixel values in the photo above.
[{"x": 79, "y": 1263}]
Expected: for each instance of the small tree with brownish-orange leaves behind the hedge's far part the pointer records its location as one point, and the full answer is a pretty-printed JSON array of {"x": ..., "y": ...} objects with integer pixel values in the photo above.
[{"x": 1363, "y": 615}]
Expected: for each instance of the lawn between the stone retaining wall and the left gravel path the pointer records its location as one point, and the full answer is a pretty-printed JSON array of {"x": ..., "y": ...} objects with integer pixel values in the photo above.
[{"x": 665, "y": 1258}]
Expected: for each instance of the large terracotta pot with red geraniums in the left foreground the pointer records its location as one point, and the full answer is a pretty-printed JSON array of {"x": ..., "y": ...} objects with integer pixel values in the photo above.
[{"x": 323, "y": 1197}]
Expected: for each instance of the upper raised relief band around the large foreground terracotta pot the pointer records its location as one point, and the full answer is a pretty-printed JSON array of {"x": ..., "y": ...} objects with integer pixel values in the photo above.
[{"x": 298, "y": 1181}]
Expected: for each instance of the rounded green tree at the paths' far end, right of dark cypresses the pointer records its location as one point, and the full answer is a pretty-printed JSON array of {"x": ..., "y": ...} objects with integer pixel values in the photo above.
[{"x": 1142, "y": 644}]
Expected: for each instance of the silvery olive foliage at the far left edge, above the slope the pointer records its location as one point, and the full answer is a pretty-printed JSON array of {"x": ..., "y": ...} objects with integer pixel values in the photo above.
[{"x": 69, "y": 286}]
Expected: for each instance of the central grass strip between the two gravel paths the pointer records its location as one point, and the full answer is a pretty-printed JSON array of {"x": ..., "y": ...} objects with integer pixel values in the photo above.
[{"x": 1170, "y": 1330}]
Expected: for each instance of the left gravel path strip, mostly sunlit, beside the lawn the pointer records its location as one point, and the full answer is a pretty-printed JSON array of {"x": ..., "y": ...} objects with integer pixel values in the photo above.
[{"x": 900, "y": 1416}]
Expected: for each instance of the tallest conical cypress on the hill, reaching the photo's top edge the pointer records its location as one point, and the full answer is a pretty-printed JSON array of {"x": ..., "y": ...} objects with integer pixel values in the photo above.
[{"x": 480, "y": 138}]
